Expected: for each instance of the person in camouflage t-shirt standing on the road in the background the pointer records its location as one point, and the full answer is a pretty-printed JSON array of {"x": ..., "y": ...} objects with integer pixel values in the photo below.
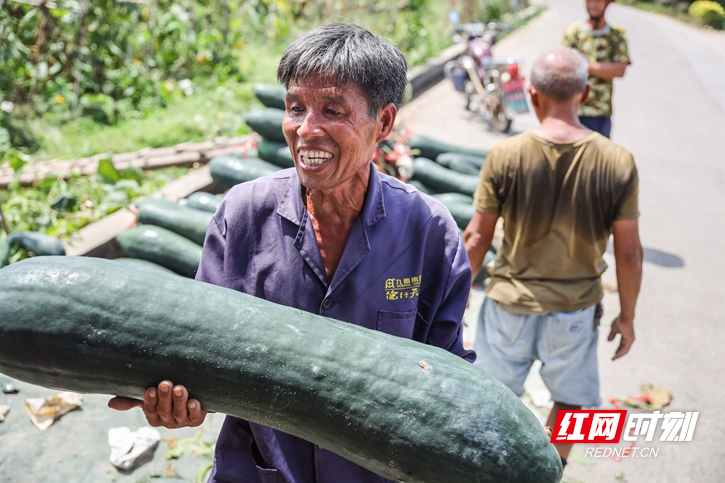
[{"x": 604, "y": 46}]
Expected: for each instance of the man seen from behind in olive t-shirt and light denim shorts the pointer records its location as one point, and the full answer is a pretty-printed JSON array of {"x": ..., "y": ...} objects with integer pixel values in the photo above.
[{"x": 561, "y": 190}]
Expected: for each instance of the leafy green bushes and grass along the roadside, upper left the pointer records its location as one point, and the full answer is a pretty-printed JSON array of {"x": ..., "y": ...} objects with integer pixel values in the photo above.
[{"x": 108, "y": 76}]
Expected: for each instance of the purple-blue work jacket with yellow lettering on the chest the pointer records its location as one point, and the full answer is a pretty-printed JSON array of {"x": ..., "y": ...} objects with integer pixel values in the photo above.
[{"x": 404, "y": 271}]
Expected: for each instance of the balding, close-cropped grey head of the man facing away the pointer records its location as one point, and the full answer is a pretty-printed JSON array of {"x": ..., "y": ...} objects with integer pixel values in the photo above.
[{"x": 560, "y": 74}]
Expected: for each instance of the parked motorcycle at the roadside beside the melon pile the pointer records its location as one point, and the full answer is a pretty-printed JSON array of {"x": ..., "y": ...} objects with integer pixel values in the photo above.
[{"x": 490, "y": 86}]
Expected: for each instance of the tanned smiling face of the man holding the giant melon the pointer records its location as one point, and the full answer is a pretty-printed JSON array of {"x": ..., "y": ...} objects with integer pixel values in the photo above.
[{"x": 329, "y": 131}]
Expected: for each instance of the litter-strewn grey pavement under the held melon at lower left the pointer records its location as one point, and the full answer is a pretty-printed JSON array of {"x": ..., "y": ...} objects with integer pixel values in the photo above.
[{"x": 75, "y": 448}]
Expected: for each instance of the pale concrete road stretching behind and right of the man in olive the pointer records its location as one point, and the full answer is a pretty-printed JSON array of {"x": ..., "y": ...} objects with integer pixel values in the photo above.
[{"x": 669, "y": 112}]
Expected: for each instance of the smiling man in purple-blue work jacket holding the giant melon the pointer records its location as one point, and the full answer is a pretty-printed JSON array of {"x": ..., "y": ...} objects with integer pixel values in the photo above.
[{"x": 333, "y": 237}]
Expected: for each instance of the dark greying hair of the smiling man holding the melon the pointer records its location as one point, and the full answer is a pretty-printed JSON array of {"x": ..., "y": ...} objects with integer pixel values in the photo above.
[{"x": 345, "y": 52}]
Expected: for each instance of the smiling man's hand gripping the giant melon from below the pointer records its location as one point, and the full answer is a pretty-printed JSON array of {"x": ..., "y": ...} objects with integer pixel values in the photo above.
[{"x": 168, "y": 406}]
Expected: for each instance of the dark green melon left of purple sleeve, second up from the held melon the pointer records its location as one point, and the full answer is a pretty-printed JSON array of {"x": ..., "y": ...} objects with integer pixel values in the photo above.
[{"x": 187, "y": 222}]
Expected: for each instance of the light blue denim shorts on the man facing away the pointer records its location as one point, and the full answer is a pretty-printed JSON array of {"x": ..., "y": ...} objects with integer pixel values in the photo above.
[{"x": 565, "y": 342}]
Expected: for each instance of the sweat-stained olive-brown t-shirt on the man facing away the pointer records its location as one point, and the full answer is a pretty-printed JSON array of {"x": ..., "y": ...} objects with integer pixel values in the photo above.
[{"x": 558, "y": 202}]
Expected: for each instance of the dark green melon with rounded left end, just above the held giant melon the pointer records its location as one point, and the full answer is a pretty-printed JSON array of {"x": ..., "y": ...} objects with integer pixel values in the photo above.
[{"x": 163, "y": 247}]
